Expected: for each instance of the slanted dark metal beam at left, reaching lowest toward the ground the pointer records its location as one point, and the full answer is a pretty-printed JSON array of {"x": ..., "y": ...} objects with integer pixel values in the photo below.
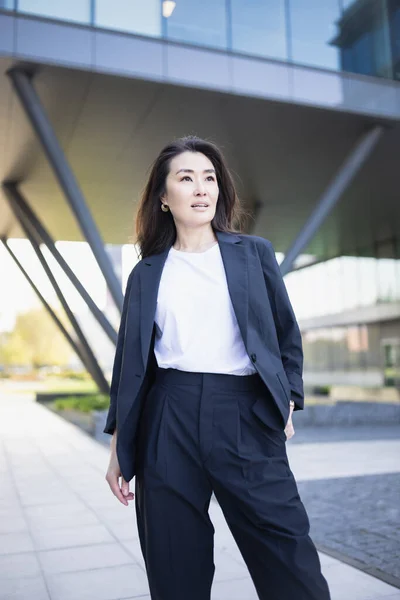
[{"x": 86, "y": 353}]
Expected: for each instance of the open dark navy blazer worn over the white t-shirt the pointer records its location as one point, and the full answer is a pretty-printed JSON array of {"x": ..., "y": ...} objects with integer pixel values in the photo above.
[{"x": 265, "y": 317}]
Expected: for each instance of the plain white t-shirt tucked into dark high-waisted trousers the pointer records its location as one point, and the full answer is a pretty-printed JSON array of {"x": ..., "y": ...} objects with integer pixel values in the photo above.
[{"x": 196, "y": 327}]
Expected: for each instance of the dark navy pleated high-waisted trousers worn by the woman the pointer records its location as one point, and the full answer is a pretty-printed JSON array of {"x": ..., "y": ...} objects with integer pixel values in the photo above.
[{"x": 198, "y": 435}]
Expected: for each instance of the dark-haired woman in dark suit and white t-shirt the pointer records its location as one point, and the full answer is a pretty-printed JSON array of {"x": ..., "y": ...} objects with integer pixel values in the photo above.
[{"x": 207, "y": 373}]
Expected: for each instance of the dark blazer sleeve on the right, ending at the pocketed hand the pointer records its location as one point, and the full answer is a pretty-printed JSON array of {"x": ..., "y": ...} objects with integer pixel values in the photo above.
[{"x": 288, "y": 331}]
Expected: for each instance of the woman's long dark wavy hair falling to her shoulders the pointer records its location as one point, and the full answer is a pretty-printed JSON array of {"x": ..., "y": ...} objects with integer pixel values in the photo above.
[{"x": 155, "y": 229}]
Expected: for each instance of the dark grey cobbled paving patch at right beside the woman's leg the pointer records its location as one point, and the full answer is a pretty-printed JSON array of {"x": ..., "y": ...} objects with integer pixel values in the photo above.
[{"x": 358, "y": 517}]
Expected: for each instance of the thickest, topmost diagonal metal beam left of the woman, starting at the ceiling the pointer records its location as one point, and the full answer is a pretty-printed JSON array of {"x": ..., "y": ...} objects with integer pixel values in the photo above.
[{"x": 26, "y": 92}]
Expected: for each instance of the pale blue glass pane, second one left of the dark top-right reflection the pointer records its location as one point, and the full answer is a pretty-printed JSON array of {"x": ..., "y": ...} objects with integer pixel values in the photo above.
[{"x": 259, "y": 27}]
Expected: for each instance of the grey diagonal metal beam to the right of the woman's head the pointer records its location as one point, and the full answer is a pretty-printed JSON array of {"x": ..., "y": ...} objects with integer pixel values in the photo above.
[{"x": 332, "y": 194}]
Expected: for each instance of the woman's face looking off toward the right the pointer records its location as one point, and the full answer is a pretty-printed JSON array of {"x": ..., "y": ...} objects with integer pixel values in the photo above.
[{"x": 191, "y": 181}]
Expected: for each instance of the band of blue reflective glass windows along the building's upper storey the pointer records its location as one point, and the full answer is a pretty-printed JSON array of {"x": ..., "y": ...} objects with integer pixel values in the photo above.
[{"x": 358, "y": 36}]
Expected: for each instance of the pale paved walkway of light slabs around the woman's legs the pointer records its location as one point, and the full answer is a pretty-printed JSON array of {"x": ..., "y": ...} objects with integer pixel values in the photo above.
[{"x": 63, "y": 536}]
